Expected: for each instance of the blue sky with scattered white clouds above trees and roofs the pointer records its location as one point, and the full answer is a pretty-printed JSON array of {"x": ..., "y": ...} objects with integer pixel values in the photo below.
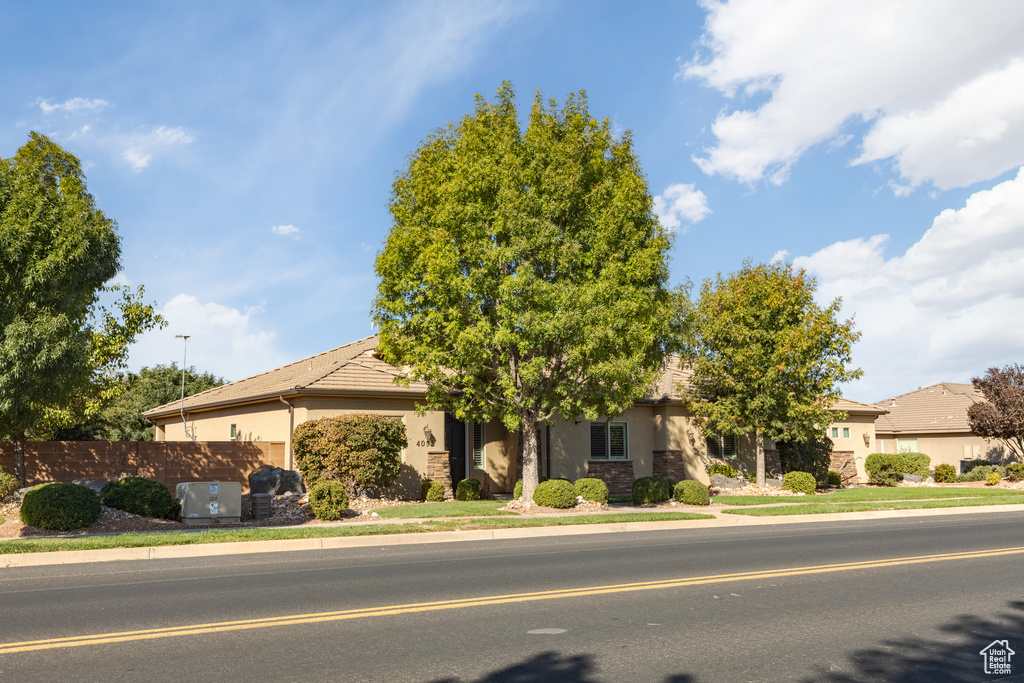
[{"x": 247, "y": 150}]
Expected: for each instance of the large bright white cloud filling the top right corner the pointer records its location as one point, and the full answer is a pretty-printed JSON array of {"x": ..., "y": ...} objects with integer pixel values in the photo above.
[{"x": 937, "y": 83}]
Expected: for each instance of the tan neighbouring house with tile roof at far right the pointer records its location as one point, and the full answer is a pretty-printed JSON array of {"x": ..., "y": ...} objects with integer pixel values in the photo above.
[{"x": 933, "y": 420}]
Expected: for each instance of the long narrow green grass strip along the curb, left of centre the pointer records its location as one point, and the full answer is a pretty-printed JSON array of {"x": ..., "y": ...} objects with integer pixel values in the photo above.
[{"x": 265, "y": 534}]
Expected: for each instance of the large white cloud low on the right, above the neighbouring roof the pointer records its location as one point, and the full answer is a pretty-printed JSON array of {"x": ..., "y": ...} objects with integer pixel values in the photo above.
[{"x": 945, "y": 311}]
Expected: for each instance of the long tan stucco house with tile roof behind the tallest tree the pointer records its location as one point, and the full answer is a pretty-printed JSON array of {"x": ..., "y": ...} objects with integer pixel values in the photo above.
[{"x": 656, "y": 437}]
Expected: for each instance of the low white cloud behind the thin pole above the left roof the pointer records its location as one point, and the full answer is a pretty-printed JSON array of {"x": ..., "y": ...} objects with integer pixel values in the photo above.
[{"x": 223, "y": 340}]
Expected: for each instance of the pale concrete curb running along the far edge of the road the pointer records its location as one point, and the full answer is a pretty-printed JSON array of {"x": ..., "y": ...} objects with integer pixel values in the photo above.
[{"x": 214, "y": 549}]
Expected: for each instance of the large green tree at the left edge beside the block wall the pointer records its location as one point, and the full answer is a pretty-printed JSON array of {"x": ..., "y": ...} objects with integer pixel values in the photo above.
[{"x": 57, "y": 252}]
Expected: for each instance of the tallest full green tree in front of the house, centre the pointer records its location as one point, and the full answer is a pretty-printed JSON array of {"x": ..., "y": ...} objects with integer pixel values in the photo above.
[{"x": 525, "y": 275}]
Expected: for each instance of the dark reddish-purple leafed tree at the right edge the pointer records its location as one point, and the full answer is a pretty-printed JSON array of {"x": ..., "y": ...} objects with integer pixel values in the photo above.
[{"x": 1002, "y": 416}]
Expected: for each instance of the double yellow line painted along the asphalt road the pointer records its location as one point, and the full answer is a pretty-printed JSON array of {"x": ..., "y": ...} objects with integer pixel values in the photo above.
[{"x": 223, "y": 627}]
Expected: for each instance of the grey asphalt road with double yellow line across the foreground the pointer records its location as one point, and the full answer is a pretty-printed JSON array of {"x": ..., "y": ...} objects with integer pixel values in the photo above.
[{"x": 883, "y": 601}]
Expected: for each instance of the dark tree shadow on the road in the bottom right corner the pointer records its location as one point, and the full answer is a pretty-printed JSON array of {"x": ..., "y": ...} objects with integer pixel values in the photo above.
[{"x": 913, "y": 660}]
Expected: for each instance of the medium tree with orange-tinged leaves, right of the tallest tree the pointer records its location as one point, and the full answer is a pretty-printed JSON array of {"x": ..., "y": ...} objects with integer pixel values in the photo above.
[{"x": 765, "y": 357}]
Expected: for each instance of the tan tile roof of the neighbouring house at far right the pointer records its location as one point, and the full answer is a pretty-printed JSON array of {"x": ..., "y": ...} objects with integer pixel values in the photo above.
[{"x": 932, "y": 410}]
